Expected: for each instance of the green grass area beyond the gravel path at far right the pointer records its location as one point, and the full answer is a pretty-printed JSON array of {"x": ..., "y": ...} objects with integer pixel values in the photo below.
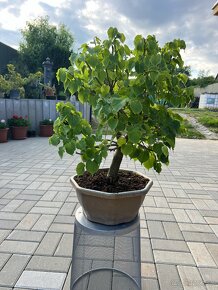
[{"x": 206, "y": 117}]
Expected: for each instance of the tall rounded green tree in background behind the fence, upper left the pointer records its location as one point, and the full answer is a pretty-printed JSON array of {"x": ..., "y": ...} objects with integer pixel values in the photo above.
[{"x": 41, "y": 40}]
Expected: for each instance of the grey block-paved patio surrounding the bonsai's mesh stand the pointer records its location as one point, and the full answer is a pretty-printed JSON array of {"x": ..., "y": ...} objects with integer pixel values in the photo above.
[{"x": 179, "y": 218}]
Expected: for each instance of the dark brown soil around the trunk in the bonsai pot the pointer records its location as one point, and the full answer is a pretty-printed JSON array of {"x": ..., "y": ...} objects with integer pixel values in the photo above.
[{"x": 127, "y": 181}]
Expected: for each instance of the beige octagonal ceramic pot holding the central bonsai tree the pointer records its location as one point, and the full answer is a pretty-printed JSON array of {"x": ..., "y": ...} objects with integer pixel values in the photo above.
[{"x": 111, "y": 208}]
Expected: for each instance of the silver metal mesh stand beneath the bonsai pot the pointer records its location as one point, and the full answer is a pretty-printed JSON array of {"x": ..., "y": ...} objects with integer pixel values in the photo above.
[{"x": 105, "y": 257}]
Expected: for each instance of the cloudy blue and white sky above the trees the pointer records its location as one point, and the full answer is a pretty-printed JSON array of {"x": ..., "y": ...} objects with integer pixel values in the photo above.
[{"x": 191, "y": 20}]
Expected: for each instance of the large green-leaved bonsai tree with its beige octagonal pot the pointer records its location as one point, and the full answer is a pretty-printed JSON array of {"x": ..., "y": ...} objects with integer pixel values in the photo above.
[{"x": 126, "y": 89}]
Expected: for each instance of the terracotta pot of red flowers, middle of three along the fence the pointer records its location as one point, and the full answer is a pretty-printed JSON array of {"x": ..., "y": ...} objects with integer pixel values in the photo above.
[{"x": 19, "y": 126}]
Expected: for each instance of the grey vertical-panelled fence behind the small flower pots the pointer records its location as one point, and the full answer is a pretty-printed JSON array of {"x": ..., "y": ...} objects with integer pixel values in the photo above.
[{"x": 36, "y": 110}]
